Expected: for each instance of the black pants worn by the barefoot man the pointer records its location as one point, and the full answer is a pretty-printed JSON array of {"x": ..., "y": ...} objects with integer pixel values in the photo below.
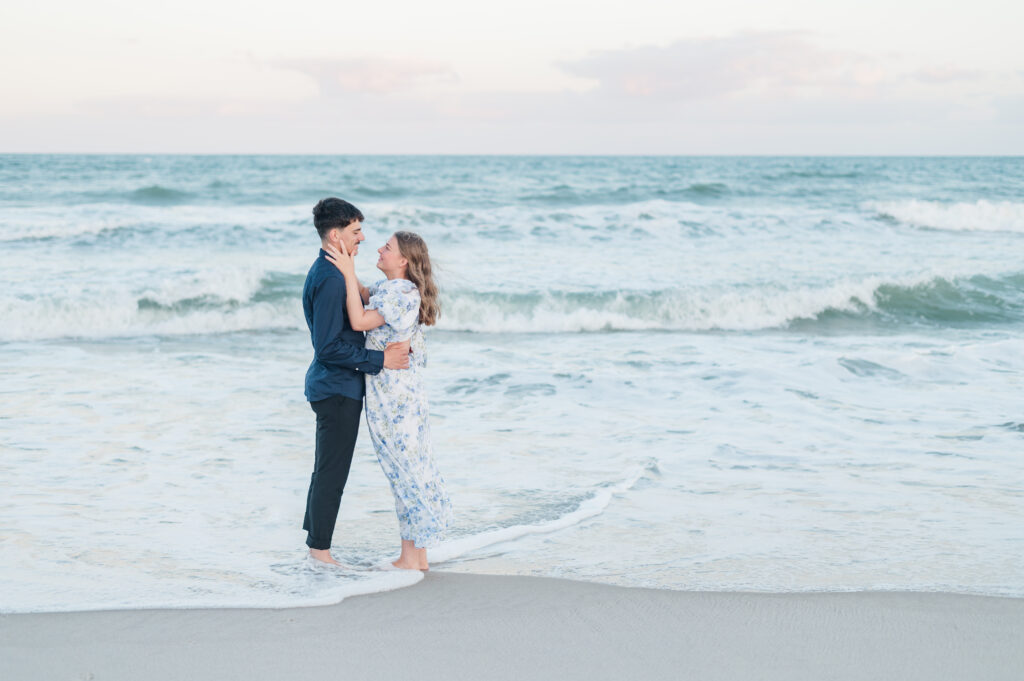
[{"x": 337, "y": 428}]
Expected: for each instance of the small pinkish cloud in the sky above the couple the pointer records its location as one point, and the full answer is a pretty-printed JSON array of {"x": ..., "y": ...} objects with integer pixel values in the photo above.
[{"x": 367, "y": 76}]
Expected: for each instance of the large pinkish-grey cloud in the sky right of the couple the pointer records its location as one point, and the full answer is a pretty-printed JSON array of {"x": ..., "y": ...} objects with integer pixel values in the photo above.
[{"x": 698, "y": 69}]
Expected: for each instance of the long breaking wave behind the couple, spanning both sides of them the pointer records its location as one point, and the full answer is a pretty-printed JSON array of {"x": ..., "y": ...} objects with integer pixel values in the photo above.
[{"x": 250, "y": 300}]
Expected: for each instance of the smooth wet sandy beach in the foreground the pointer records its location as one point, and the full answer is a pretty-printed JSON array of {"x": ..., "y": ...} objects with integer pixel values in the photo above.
[{"x": 479, "y": 627}]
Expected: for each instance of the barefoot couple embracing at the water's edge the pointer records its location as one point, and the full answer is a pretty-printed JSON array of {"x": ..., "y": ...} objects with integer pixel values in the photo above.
[{"x": 386, "y": 366}]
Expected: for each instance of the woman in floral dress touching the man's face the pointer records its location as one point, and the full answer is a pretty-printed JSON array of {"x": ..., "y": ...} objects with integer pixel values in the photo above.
[{"x": 397, "y": 402}]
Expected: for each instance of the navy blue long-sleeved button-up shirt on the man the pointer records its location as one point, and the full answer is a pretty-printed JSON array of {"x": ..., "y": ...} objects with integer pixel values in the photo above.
[{"x": 340, "y": 358}]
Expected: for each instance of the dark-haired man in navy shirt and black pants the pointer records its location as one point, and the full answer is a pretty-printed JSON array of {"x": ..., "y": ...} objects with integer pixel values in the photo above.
[{"x": 334, "y": 382}]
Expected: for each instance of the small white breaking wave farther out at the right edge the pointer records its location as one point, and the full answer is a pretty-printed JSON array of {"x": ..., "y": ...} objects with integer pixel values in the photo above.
[{"x": 979, "y": 217}]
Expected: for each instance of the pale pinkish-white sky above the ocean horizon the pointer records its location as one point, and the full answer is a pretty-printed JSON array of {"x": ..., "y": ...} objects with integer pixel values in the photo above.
[{"x": 734, "y": 77}]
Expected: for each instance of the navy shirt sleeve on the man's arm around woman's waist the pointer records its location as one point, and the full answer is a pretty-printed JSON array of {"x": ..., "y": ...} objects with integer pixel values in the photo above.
[{"x": 329, "y": 322}]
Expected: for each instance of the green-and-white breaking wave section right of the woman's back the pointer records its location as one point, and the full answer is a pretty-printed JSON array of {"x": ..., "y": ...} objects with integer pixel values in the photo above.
[{"x": 878, "y": 302}]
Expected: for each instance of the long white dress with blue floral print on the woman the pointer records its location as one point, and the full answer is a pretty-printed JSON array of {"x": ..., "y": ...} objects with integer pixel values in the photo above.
[{"x": 397, "y": 416}]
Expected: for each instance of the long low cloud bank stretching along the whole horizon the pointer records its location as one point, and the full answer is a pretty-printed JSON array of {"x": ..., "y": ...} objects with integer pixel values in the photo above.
[{"x": 750, "y": 94}]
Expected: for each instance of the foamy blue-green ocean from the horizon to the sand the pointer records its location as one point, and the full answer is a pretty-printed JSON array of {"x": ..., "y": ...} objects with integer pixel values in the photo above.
[{"x": 741, "y": 374}]
